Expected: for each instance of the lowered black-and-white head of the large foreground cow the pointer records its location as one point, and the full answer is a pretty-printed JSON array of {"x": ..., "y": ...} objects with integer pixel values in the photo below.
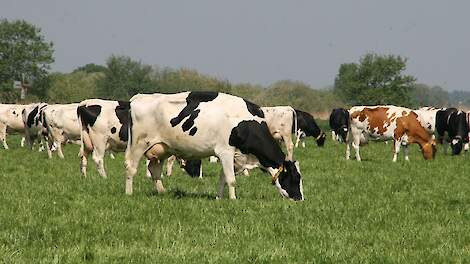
[{"x": 288, "y": 181}]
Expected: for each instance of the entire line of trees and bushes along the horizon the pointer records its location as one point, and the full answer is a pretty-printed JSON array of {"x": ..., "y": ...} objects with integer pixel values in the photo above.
[{"x": 26, "y": 56}]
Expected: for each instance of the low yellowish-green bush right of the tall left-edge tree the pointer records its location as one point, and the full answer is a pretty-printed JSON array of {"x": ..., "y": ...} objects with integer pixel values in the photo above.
[{"x": 73, "y": 87}]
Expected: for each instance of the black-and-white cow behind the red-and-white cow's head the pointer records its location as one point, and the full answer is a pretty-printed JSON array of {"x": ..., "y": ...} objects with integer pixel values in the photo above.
[{"x": 450, "y": 125}]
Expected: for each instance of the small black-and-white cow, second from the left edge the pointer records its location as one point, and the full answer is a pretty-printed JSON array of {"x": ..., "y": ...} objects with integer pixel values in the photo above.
[{"x": 33, "y": 125}]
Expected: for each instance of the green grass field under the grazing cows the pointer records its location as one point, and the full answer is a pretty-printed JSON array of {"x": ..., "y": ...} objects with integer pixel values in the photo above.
[{"x": 375, "y": 211}]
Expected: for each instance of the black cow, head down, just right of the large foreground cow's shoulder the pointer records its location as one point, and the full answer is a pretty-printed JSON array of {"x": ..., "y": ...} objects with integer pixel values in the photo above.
[{"x": 307, "y": 127}]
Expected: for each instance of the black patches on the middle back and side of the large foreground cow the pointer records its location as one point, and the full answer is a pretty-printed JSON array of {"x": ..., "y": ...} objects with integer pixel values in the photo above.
[{"x": 193, "y": 100}]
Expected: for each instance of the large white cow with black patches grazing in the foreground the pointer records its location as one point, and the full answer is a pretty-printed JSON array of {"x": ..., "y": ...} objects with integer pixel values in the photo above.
[{"x": 194, "y": 125}]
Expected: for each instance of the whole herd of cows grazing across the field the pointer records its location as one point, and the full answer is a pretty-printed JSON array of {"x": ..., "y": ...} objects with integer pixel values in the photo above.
[{"x": 191, "y": 126}]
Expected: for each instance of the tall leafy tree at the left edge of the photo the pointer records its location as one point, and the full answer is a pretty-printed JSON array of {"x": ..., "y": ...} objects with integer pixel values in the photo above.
[{"x": 23, "y": 52}]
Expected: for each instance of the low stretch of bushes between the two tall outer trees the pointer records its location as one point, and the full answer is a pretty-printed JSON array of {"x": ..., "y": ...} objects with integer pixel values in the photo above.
[{"x": 122, "y": 77}]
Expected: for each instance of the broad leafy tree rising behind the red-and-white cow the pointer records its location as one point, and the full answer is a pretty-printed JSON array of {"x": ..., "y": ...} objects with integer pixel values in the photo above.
[{"x": 377, "y": 79}]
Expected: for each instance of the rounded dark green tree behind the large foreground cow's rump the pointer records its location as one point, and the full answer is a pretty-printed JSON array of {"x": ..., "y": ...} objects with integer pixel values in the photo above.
[{"x": 124, "y": 78}]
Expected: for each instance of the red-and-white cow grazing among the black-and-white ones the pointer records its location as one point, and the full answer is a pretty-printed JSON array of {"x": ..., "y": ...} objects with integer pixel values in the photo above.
[{"x": 389, "y": 122}]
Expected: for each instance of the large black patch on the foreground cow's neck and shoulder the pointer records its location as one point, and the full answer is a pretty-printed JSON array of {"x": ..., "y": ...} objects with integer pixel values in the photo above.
[{"x": 251, "y": 137}]
